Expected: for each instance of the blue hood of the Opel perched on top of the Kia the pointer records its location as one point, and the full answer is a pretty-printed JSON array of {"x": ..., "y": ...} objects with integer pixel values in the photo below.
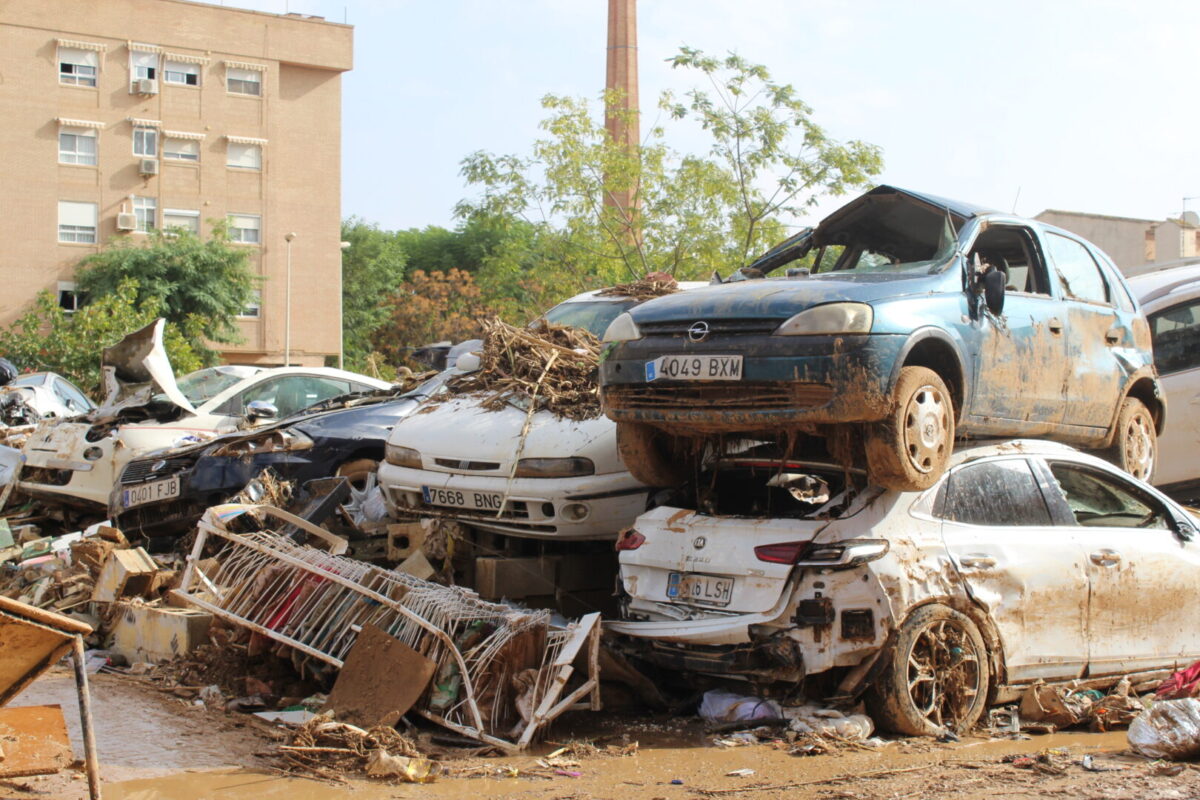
[{"x": 781, "y": 298}]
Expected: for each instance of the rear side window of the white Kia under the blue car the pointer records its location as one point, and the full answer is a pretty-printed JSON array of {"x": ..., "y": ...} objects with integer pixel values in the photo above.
[{"x": 998, "y": 494}]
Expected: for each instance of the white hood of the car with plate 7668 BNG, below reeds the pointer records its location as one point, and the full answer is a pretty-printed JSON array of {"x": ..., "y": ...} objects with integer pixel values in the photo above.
[{"x": 460, "y": 430}]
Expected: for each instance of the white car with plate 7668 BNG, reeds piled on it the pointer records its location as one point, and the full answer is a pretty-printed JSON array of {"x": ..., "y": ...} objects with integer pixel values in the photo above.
[{"x": 458, "y": 460}]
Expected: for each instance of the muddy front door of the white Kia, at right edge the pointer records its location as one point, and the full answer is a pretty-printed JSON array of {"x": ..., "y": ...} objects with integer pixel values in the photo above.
[{"x": 1144, "y": 579}]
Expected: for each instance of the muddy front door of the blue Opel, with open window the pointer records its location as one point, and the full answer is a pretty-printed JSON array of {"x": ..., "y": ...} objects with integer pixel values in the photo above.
[{"x": 1019, "y": 358}]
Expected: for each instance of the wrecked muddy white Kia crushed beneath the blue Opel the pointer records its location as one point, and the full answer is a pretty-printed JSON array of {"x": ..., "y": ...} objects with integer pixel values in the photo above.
[{"x": 1027, "y": 562}]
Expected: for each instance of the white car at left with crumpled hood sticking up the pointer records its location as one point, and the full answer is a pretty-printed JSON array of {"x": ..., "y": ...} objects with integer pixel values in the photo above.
[{"x": 79, "y": 462}]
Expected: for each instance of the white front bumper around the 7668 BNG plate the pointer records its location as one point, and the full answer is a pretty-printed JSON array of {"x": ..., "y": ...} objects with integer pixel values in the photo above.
[{"x": 533, "y": 507}]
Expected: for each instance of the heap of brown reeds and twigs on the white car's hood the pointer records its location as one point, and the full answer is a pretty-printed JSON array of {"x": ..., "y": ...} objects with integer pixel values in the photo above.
[{"x": 553, "y": 368}]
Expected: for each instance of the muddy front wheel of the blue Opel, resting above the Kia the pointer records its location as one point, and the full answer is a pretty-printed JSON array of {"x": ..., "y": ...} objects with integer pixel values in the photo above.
[{"x": 910, "y": 449}]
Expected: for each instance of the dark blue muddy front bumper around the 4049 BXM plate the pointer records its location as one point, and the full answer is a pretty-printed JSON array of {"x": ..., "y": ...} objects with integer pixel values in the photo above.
[{"x": 787, "y": 381}]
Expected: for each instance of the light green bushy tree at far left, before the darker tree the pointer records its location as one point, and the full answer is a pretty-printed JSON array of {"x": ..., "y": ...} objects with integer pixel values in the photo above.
[{"x": 49, "y": 339}]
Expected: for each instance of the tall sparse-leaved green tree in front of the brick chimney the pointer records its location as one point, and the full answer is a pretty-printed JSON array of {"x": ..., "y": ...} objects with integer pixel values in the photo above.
[{"x": 767, "y": 163}]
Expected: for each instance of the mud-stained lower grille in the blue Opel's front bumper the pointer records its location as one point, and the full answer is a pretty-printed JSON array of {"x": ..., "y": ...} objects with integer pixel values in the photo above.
[{"x": 745, "y": 396}]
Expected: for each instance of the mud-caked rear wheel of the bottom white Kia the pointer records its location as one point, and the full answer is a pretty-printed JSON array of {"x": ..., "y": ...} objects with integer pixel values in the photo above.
[{"x": 935, "y": 678}]
